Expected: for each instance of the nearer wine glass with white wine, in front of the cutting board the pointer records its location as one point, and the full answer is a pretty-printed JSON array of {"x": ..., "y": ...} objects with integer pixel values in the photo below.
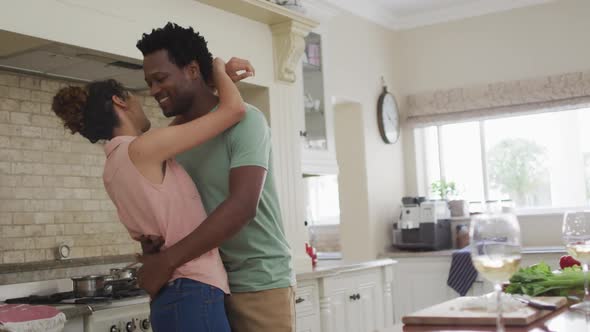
[{"x": 495, "y": 251}]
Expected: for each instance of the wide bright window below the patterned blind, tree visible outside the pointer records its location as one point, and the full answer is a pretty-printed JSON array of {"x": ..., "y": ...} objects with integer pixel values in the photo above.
[{"x": 535, "y": 161}]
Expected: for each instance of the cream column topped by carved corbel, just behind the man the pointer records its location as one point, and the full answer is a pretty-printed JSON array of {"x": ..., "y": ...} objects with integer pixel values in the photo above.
[{"x": 285, "y": 118}]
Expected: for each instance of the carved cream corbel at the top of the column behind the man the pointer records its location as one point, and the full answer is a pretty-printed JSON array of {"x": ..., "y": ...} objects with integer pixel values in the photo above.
[{"x": 289, "y": 45}]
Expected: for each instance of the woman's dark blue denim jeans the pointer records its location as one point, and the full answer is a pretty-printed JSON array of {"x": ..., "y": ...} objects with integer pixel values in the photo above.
[{"x": 189, "y": 305}]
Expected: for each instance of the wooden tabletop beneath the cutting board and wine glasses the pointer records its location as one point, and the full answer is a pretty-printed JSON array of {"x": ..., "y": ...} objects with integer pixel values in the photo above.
[{"x": 563, "y": 320}]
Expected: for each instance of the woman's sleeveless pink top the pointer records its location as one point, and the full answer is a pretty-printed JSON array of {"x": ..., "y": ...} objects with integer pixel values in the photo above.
[{"x": 172, "y": 209}]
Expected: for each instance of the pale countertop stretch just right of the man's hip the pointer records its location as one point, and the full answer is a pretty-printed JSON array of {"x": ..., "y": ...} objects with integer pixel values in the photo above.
[{"x": 334, "y": 267}]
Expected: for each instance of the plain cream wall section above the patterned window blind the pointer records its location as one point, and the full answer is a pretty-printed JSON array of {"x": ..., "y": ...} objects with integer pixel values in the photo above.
[{"x": 523, "y": 43}]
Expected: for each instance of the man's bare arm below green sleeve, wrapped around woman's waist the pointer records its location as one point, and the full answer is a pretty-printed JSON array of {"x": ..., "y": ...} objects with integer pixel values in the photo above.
[{"x": 245, "y": 186}]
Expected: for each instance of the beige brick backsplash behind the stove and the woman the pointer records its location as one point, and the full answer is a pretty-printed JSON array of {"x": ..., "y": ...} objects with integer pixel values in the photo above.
[{"x": 51, "y": 188}]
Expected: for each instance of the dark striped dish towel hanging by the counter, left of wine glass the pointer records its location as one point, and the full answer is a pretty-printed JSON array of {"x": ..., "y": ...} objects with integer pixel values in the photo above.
[{"x": 462, "y": 274}]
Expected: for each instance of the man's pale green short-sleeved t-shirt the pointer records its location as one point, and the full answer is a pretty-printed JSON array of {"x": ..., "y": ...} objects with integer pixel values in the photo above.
[{"x": 258, "y": 257}]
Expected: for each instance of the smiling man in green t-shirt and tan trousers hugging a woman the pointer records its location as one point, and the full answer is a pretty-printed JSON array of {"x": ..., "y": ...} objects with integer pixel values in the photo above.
[{"x": 233, "y": 173}]
